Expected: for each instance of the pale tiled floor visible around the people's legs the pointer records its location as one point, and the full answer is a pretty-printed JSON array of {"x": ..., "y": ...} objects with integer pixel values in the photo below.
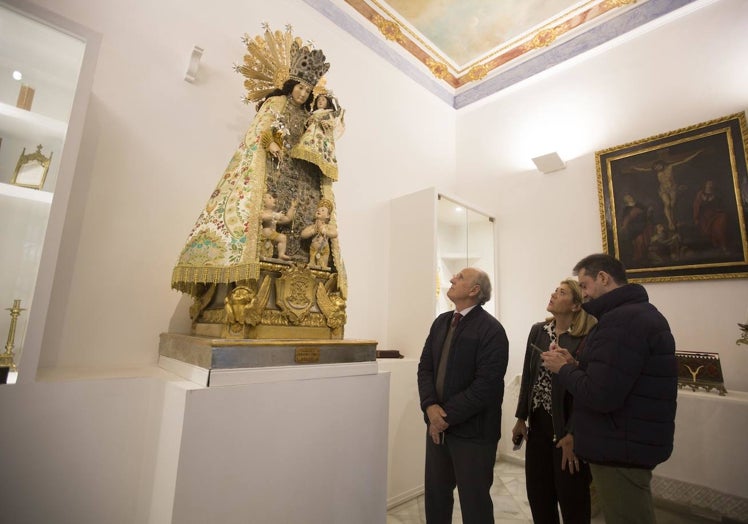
[{"x": 510, "y": 503}]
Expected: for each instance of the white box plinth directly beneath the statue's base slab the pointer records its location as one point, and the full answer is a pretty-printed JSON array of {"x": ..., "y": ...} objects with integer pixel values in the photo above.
[{"x": 311, "y": 450}]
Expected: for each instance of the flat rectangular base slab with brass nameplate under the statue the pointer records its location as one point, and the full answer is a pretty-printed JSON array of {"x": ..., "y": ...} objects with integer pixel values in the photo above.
[{"x": 222, "y": 354}]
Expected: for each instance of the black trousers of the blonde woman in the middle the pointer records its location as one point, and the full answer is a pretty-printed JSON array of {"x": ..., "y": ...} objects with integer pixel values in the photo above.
[{"x": 547, "y": 485}]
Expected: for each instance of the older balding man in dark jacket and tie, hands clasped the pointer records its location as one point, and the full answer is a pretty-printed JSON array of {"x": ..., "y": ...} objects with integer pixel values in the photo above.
[{"x": 461, "y": 386}]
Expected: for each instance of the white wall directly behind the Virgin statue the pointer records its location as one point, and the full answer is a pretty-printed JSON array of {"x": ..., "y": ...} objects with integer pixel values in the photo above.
[{"x": 156, "y": 145}]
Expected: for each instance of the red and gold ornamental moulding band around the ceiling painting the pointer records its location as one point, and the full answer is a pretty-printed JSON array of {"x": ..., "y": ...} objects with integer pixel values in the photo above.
[{"x": 394, "y": 29}]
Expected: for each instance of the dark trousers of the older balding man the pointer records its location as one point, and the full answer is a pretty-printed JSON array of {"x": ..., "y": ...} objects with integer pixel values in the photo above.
[{"x": 469, "y": 466}]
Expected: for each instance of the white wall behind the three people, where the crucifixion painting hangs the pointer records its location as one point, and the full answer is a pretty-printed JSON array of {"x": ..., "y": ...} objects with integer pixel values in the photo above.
[{"x": 687, "y": 71}]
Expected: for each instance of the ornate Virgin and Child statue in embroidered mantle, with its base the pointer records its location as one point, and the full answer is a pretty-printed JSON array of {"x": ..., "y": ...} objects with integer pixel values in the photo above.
[{"x": 263, "y": 263}]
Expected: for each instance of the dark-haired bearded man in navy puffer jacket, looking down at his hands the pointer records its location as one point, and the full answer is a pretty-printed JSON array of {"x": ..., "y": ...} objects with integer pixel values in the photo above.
[{"x": 624, "y": 386}]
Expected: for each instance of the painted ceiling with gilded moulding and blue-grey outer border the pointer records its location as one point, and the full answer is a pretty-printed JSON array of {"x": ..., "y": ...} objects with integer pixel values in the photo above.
[{"x": 464, "y": 50}]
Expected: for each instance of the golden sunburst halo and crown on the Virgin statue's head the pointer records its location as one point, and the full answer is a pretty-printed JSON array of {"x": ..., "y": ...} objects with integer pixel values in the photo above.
[{"x": 274, "y": 57}]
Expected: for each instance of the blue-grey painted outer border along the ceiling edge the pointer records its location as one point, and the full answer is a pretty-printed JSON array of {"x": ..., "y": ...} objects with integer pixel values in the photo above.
[{"x": 597, "y": 35}]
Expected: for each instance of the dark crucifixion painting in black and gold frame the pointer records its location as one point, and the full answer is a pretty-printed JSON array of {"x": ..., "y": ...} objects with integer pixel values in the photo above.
[{"x": 675, "y": 206}]
